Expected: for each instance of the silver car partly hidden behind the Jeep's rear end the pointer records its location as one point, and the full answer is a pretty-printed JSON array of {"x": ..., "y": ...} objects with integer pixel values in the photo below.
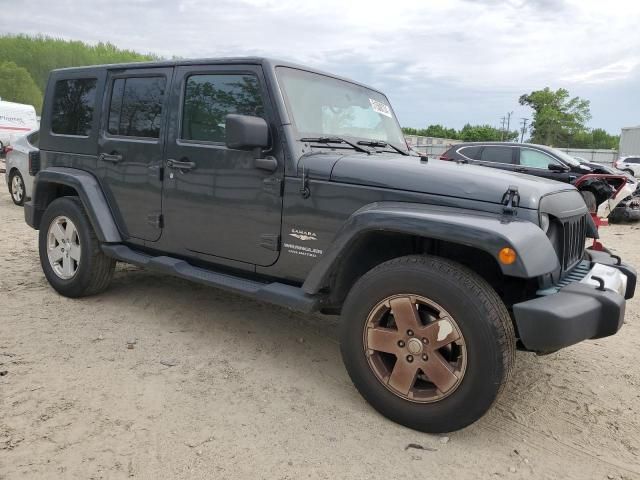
[{"x": 22, "y": 164}]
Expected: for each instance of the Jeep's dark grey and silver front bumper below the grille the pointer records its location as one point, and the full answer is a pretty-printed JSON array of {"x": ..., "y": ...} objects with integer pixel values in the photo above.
[{"x": 577, "y": 312}]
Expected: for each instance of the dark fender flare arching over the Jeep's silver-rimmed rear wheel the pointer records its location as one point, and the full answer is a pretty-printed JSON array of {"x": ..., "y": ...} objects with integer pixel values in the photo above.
[{"x": 89, "y": 192}]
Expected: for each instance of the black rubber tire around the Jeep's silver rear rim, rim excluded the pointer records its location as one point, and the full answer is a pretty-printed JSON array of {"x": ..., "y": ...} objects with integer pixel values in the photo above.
[{"x": 94, "y": 270}]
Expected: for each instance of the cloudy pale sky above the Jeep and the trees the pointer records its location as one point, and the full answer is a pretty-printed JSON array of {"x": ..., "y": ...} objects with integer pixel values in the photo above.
[{"x": 450, "y": 62}]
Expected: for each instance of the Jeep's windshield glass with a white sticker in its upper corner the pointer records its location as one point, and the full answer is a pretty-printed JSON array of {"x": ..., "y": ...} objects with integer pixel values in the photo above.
[{"x": 322, "y": 106}]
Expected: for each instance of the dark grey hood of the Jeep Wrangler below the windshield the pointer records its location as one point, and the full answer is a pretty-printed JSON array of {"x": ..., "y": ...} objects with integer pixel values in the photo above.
[{"x": 435, "y": 177}]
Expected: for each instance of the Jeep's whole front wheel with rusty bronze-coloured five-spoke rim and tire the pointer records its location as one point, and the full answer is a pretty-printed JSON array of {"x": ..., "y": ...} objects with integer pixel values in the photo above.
[{"x": 427, "y": 342}]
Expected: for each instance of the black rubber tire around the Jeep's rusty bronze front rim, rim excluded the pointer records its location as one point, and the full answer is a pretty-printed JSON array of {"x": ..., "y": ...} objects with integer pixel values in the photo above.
[{"x": 482, "y": 319}]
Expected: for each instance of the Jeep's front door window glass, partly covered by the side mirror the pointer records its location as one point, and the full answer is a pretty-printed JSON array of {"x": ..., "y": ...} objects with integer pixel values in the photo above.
[{"x": 208, "y": 99}]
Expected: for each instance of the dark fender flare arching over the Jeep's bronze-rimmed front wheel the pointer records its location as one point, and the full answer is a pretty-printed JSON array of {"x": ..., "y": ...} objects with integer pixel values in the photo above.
[{"x": 485, "y": 231}]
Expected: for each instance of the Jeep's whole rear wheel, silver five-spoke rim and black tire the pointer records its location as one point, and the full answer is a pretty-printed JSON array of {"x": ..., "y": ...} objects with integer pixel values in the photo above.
[{"x": 70, "y": 253}]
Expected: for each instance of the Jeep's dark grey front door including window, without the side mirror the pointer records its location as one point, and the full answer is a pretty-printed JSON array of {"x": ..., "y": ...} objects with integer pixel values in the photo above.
[{"x": 215, "y": 201}]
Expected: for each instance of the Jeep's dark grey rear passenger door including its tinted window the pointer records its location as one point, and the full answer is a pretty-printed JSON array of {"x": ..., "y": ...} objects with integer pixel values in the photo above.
[{"x": 131, "y": 148}]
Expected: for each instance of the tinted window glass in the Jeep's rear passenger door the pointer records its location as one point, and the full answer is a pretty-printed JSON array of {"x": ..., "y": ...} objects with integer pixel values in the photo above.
[{"x": 136, "y": 106}]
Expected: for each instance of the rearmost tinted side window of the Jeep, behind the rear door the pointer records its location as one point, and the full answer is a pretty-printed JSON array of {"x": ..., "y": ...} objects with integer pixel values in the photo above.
[{"x": 73, "y": 104}]
